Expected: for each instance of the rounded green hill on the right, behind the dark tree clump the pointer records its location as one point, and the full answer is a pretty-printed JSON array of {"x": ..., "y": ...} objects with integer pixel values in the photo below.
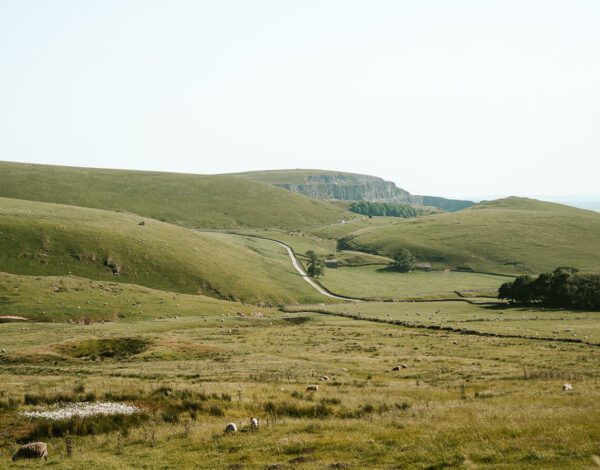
[{"x": 513, "y": 235}]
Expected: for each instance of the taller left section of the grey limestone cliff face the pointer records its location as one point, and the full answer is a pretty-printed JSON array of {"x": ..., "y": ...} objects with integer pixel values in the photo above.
[{"x": 344, "y": 187}]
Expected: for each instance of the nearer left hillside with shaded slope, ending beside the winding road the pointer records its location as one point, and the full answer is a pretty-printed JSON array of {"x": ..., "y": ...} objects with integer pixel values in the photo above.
[{"x": 50, "y": 239}]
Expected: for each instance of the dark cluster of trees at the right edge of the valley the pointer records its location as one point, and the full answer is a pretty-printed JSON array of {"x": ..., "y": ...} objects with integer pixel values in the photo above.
[{"x": 563, "y": 287}]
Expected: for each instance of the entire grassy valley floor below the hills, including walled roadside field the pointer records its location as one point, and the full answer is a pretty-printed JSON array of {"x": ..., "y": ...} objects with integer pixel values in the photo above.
[{"x": 427, "y": 385}]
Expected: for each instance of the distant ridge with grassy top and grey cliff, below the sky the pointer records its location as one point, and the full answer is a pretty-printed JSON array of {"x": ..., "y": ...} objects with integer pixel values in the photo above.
[{"x": 340, "y": 186}]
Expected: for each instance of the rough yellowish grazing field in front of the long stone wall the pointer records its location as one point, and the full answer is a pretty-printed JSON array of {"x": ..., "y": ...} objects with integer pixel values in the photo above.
[{"x": 461, "y": 402}]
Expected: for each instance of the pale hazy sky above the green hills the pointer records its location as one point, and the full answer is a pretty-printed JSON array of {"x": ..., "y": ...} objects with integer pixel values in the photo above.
[{"x": 452, "y": 98}]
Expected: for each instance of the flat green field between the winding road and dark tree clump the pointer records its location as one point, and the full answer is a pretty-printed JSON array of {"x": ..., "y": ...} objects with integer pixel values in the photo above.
[{"x": 379, "y": 282}]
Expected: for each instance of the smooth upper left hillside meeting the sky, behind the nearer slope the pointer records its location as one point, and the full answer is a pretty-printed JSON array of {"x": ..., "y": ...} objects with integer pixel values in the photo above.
[{"x": 184, "y": 199}]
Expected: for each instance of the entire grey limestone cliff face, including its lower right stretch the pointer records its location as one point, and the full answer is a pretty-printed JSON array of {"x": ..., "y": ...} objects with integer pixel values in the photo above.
[{"x": 352, "y": 187}]
